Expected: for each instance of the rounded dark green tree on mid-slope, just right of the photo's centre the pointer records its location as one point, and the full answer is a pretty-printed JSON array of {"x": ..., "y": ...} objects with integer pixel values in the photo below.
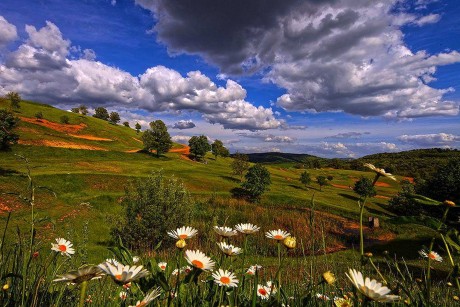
[{"x": 257, "y": 181}]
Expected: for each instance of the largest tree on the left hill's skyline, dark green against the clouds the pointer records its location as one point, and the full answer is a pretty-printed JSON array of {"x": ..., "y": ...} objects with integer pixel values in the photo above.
[{"x": 157, "y": 138}]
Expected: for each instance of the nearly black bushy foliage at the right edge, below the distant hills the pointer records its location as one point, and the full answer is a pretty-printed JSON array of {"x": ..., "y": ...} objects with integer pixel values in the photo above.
[{"x": 444, "y": 183}]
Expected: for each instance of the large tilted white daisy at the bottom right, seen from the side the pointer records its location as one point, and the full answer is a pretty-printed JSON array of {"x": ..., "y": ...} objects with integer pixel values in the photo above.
[{"x": 371, "y": 288}]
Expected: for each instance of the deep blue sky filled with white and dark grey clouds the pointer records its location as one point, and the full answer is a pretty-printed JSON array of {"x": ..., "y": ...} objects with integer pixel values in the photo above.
[{"x": 332, "y": 78}]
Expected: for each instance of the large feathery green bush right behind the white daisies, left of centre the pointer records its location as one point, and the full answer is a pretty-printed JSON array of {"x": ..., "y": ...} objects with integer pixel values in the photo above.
[{"x": 152, "y": 206}]
